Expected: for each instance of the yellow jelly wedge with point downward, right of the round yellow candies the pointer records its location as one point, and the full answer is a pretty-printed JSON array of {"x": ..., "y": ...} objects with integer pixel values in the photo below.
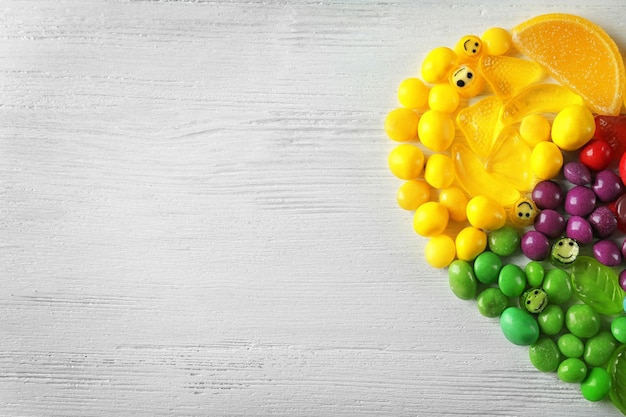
[{"x": 479, "y": 124}]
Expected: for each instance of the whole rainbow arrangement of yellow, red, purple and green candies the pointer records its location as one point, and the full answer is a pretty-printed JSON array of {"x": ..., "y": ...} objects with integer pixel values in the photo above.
[{"x": 512, "y": 158}]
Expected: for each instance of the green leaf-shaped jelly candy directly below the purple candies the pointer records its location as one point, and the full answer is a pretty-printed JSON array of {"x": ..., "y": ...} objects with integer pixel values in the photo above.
[{"x": 597, "y": 285}]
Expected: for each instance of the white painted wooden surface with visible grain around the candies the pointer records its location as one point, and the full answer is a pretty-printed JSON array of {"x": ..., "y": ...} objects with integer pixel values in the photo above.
[{"x": 196, "y": 216}]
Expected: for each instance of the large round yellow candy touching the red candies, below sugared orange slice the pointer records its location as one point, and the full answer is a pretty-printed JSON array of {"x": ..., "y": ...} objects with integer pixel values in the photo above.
[{"x": 573, "y": 127}]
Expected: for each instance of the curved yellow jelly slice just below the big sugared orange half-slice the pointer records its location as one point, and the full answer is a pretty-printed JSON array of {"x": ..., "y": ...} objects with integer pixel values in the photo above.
[{"x": 538, "y": 98}]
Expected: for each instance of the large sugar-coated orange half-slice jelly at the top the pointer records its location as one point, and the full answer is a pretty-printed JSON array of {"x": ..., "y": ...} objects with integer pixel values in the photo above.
[{"x": 577, "y": 53}]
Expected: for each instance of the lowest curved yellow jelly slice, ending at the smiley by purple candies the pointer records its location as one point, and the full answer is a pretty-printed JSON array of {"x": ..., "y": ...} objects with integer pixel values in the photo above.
[{"x": 475, "y": 180}]
